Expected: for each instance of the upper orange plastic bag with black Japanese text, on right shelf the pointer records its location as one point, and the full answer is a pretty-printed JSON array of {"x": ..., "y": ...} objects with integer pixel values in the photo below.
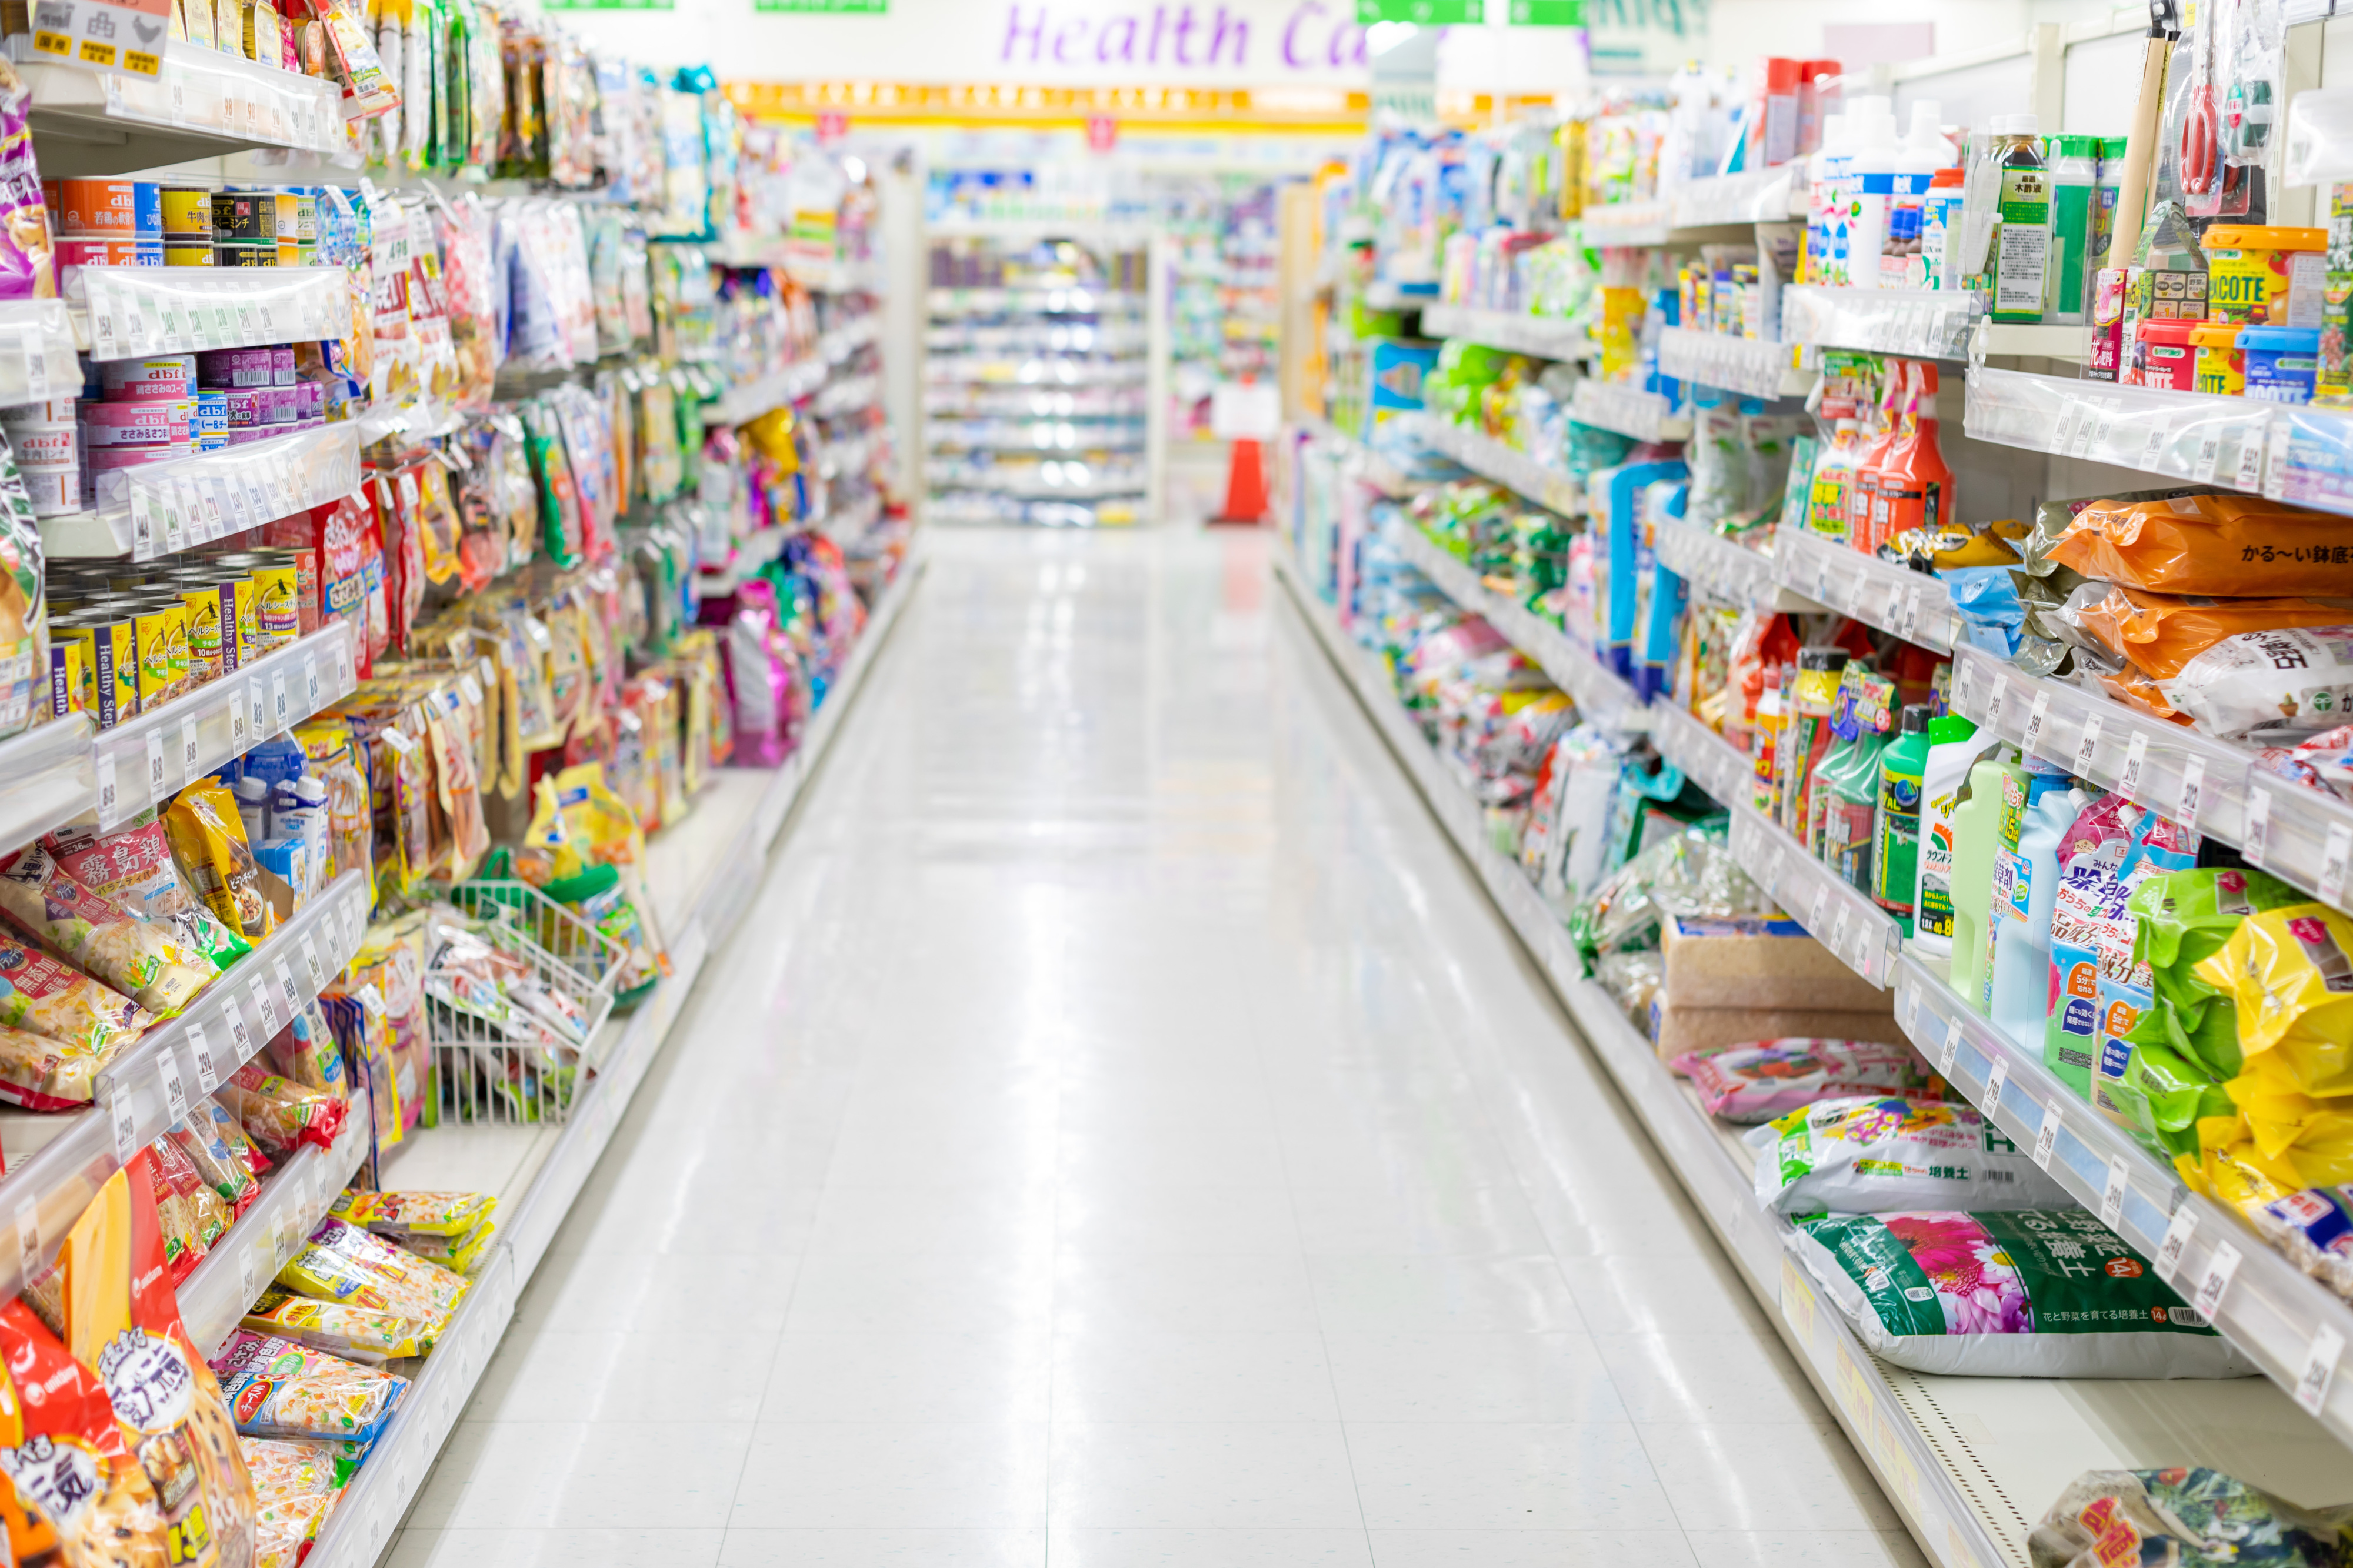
[{"x": 2232, "y": 545}]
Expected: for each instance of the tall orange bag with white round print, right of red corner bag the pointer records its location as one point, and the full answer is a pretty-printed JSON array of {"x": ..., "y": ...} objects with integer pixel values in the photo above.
[{"x": 124, "y": 1320}]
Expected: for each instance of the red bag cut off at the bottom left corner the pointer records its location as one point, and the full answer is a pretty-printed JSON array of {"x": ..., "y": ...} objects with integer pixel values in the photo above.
[{"x": 72, "y": 1482}]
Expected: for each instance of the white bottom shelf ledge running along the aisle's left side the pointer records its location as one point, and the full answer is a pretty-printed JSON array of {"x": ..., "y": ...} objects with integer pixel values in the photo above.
[{"x": 538, "y": 1171}]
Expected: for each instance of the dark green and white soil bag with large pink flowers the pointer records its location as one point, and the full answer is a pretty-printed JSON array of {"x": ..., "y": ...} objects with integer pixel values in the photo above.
[{"x": 2008, "y": 1294}]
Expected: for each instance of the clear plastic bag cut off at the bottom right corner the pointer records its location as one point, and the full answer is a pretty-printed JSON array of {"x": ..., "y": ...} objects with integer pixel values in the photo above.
[{"x": 2185, "y": 1517}]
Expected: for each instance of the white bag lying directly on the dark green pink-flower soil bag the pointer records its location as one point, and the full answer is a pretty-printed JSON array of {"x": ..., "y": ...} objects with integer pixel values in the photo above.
[{"x": 1879, "y": 1155}]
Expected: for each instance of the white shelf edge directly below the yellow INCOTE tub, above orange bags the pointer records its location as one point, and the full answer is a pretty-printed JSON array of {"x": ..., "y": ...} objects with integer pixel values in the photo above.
[{"x": 2175, "y": 434}]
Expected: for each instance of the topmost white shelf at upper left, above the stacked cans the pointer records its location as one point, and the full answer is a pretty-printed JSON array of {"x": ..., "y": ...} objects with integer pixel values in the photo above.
[{"x": 201, "y": 105}]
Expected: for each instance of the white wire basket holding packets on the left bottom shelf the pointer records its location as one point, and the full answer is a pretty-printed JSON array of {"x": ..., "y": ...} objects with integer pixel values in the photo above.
[{"x": 528, "y": 1061}]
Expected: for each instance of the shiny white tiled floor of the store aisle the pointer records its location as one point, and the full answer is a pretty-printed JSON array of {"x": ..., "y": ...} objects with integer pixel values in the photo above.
[{"x": 1124, "y": 1136}]
